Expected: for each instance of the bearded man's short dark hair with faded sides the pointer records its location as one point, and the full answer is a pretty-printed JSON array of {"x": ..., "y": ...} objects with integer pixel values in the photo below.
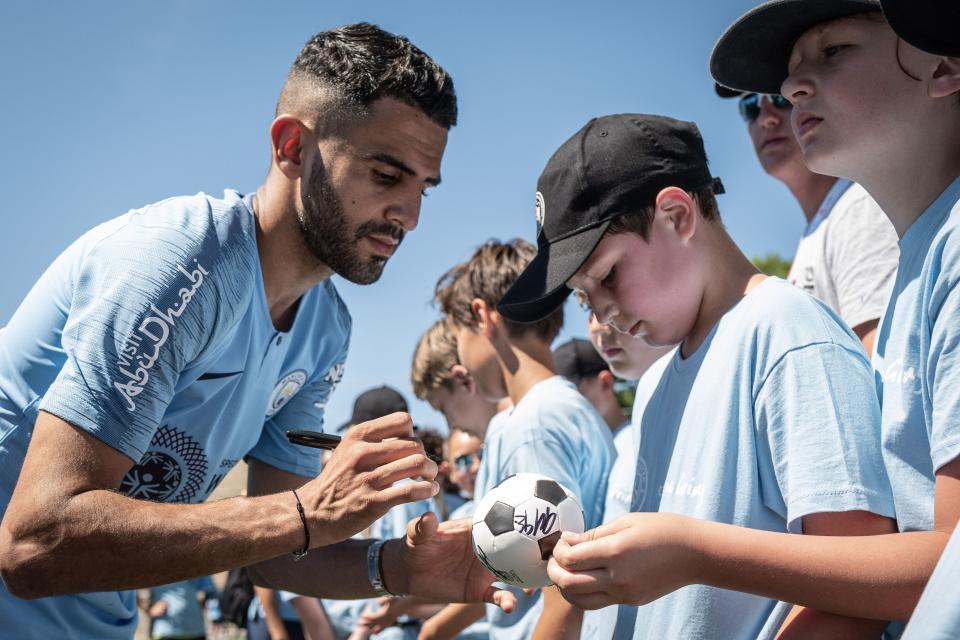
[{"x": 361, "y": 63}]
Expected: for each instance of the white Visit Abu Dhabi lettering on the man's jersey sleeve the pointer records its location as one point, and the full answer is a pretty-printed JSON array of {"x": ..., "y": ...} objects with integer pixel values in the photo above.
[{"x": 142, "y": 347}]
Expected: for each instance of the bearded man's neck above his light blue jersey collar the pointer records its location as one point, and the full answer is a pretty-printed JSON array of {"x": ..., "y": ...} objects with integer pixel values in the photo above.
[{"x": 288, "y": 269}]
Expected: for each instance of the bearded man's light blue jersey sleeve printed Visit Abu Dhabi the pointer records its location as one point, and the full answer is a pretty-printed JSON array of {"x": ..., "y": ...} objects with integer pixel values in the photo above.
[{"x": 147, "y": 300}]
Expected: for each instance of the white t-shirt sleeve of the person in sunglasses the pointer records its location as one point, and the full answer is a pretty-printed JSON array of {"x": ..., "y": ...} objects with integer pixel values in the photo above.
[{"x": 862, "y": 256}]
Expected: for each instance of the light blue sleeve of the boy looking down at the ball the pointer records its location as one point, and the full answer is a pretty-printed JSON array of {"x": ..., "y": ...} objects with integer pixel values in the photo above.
[{"x": 818, "y": 413}]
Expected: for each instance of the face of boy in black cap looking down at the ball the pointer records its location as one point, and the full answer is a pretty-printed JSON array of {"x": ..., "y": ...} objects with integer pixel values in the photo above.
[{"x": 646, "y": 289}]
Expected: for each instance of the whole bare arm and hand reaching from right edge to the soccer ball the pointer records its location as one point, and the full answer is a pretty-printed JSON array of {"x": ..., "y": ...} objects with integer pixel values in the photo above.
[{"x": 878, "y": 576}]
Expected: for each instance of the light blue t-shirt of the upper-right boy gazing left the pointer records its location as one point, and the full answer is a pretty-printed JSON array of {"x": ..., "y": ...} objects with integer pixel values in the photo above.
[{"x": 917, "y": 360}]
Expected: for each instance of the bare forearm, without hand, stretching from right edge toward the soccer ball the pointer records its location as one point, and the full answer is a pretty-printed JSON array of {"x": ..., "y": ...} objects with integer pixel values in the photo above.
[{"x": 878, "y": 577}]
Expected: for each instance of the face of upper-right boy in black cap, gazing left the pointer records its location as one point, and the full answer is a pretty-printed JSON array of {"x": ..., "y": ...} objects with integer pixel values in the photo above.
[{"x": 852, "y": 103}]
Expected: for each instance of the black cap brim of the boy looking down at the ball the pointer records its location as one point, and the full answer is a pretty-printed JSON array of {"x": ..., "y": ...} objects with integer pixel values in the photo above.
[{"x": 542, "y": 287}]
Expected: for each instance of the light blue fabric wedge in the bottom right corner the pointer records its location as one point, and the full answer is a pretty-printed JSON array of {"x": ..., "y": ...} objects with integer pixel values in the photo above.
[{"x": 937, "y": 616}]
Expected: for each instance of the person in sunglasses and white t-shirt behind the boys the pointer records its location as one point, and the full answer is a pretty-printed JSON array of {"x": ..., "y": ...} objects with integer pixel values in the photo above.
[{"x": 848, "y": 253}]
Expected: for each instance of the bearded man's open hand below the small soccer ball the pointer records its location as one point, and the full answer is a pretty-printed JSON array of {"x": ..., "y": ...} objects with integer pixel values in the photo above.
[{"x": 437, "y": 562}]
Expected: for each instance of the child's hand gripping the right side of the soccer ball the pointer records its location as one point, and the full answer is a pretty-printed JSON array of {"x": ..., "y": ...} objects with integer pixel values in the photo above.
[{"x": 635, "y": 559}]
